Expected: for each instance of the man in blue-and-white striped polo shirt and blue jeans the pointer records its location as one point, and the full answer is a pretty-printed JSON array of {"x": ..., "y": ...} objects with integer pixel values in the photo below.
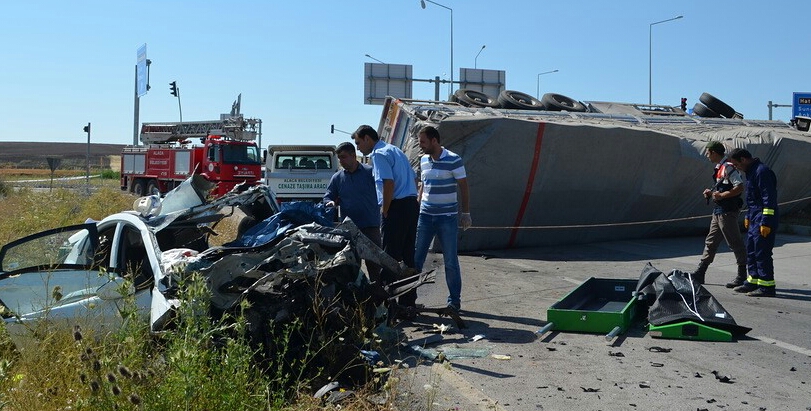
[{"x": 442, "y": 175}]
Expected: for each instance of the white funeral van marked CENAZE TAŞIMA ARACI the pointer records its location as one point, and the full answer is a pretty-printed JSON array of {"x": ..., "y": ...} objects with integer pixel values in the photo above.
[{"x": 300, "y": 173}]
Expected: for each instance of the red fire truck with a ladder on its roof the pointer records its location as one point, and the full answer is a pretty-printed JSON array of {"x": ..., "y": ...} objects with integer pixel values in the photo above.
[{"x": 227, "y": 155}]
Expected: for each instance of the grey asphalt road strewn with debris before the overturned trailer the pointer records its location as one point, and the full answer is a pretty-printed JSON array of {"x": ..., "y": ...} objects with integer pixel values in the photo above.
[{"x": 505, "y": 297}]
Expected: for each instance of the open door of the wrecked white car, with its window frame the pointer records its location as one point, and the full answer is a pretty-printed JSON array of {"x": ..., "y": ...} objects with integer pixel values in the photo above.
[{"x": 62, "y": 274}]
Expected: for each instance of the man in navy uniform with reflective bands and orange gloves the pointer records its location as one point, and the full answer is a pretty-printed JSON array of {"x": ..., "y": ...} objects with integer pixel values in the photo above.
[{"x": 760, "y": 222}]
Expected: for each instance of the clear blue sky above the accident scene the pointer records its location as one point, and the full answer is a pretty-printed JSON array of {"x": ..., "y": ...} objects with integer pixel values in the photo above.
[{"x": 299, "y": 64}]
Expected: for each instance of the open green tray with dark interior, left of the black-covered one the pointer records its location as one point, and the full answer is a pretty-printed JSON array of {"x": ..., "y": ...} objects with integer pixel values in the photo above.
[{"x": 599, "y": 305}]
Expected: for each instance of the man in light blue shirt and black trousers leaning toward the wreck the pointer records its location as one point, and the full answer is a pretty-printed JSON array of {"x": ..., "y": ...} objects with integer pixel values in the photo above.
[{"x": 397, "y": 198}]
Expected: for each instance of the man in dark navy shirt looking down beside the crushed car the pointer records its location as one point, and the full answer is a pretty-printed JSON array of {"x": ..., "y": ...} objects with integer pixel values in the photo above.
[{"x": 353, "y": 190}]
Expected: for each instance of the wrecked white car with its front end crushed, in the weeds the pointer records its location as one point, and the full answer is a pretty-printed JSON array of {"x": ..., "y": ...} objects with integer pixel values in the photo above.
[{"x": 284, "y": 263}]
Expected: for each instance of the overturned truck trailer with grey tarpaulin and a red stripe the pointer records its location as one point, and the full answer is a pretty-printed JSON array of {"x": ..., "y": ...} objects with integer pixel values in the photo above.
[{"x": 613, "y": 172}]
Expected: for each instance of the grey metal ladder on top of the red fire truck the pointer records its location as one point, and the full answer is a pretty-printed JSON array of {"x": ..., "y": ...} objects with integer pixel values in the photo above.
[{"x": 235, "y": 128}]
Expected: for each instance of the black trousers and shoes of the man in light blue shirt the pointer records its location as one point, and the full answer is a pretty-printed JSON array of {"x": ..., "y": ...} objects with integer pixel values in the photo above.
[{"x": 399, "y": 230}]
